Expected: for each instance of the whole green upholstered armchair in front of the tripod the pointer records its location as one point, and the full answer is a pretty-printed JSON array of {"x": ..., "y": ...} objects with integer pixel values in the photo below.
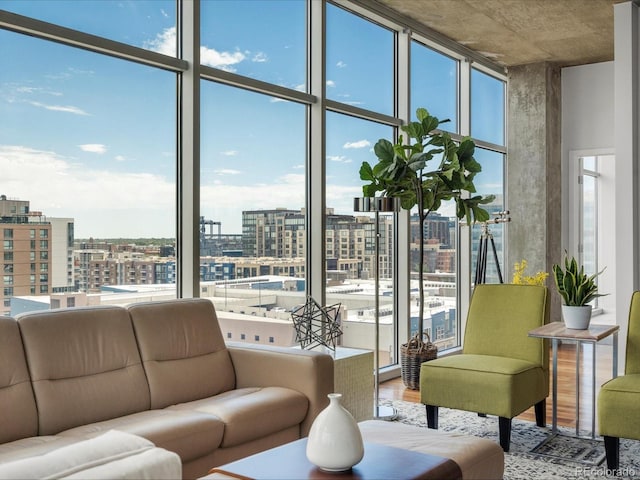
[{"x": 501, "y": 370}]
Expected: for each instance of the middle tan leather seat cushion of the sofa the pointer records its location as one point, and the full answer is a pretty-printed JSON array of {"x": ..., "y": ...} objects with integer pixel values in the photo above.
[{"x": 189, "y": 434}]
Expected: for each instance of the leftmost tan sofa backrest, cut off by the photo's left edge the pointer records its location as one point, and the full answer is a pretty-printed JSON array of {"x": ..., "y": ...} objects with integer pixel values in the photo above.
[{"x": 18, "y": 415}]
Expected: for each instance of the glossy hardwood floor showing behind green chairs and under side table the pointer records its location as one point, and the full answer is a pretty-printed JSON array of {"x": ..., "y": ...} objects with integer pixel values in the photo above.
[{"x": 395, "y": 389}]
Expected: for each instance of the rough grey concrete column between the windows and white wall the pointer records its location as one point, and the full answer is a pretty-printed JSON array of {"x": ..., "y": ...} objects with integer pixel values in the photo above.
[{"x": 534, "y": 168}]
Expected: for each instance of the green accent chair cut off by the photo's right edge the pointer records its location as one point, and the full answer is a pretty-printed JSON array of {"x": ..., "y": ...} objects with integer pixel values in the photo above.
[{"x": 619, "y": 398}]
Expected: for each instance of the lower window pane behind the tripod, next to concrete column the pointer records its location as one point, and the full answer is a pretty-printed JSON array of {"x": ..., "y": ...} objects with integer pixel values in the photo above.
[{"x": 490, "y": 181}]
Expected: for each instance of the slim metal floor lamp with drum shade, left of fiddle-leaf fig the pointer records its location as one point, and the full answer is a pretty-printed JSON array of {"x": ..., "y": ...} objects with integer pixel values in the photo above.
[{"x": 377, "y": 205}]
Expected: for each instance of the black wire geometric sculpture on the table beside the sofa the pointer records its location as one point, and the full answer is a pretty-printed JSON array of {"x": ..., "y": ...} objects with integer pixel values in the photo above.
[{"x": 316, "y": 325}]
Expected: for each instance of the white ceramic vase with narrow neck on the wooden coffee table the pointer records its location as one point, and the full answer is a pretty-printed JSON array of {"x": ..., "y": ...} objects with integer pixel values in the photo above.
[{"x": 335, "y": 441}]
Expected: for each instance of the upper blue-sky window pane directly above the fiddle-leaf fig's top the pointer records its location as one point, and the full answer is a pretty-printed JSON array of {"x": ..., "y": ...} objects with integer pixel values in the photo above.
[{"x": 434, "y": 84}]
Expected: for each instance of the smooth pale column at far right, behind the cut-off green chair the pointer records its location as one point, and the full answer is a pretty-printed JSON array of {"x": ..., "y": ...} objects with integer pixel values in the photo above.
[{"x": 627, "y": 125}]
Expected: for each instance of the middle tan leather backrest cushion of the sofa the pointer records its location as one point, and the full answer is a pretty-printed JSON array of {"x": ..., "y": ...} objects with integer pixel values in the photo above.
[{"x": 84, "y": 365}]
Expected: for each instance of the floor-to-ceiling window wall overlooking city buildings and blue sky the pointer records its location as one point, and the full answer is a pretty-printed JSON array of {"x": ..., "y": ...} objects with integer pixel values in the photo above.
[{"x": 92, "y": 132}]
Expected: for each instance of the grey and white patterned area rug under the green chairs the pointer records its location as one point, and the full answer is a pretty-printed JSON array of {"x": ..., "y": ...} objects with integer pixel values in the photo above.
[{"x": 564, "y": 456}]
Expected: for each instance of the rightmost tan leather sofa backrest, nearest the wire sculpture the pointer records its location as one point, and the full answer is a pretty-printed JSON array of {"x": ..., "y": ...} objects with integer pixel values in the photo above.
[{"x": 182, "y": 349}]
